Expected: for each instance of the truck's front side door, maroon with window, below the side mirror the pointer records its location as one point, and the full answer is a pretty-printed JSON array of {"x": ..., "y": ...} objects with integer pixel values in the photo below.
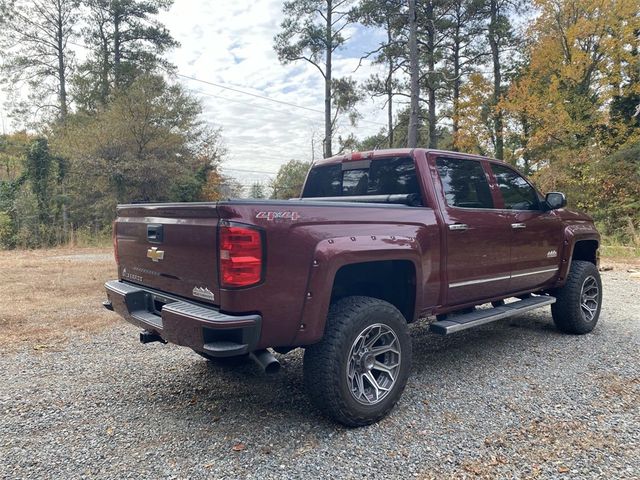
[{"x": 536, "y": 235}]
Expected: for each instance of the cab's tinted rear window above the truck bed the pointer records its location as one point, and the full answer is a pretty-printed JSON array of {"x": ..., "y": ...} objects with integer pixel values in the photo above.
[{"x": 383, "y": 176}]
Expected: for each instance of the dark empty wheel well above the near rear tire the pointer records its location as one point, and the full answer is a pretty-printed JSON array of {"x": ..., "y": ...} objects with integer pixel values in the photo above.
[{"x": 391, "y": 280}]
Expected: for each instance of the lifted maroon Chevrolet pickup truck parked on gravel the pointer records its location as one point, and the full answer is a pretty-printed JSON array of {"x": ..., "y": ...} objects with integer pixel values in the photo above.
[{"x": 376, "y": 241}]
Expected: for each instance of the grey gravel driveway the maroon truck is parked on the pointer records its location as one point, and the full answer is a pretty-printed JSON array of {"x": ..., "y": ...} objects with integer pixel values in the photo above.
[{"x": 510, "y": 399}]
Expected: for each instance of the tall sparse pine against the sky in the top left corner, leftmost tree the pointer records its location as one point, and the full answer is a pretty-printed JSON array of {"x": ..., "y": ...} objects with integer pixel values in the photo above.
[{"x": 34, "y": 42}]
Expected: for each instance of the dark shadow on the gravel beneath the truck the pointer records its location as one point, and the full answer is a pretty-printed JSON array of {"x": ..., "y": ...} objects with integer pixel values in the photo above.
[{"x": 205, "y": 393}]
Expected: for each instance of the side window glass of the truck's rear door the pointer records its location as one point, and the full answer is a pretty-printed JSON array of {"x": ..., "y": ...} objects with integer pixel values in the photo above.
[{"x": 465, "y": 183}]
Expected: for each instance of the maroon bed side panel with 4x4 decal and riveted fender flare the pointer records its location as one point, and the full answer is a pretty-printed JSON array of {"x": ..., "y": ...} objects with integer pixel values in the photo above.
[{"x": 308, "y": 245}]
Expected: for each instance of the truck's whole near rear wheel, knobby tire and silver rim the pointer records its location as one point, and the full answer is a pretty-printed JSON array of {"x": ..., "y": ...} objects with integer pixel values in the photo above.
[{"x": 358, "y": 371}]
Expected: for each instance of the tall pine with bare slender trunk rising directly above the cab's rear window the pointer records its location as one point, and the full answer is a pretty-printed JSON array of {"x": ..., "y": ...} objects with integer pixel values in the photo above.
[{"x": 312, "y": 32}]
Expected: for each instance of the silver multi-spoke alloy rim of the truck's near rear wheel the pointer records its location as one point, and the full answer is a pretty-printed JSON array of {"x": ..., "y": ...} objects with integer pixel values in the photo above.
[{"x": 374, "y": 364}]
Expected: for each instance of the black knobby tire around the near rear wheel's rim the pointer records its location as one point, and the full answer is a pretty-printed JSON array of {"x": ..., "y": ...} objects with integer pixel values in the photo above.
[{"x": 326, "y": 363}]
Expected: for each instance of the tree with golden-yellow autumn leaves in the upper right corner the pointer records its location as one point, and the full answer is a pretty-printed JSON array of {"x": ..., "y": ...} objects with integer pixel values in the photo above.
[{"x": 563, "y": 96}]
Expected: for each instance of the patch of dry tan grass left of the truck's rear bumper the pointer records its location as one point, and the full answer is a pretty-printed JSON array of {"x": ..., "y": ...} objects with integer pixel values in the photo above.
[{"x": 48, "y": 296}]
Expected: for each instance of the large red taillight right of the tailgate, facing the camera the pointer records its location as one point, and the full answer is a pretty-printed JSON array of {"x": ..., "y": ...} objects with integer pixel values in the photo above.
[{"x": 240, "y": 256}]
